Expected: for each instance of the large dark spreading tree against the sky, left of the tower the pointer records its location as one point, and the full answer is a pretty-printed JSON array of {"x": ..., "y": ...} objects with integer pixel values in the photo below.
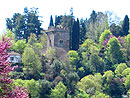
[{"x": 24, "y": 24}]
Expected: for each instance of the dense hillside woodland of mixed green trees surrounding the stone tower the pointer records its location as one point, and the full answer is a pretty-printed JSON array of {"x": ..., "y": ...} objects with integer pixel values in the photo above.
[{"x": 96, "y": 66}]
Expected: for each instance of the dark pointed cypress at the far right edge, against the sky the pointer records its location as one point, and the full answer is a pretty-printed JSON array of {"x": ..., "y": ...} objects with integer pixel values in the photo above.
[{"x": 125, "y": 26}]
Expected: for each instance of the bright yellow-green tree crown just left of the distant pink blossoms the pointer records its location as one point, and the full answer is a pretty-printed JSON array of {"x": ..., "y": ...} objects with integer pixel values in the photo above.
[{"x": 104, "y": 36}]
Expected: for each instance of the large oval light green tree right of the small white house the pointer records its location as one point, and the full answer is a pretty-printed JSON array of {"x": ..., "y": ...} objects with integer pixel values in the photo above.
[{"x": 32, "y": 63}]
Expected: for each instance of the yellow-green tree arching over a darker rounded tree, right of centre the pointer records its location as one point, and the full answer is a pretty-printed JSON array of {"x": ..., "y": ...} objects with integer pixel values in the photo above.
[{"x": 86, "y": 49}]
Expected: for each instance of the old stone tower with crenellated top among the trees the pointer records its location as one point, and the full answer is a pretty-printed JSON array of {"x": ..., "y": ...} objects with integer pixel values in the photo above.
[{"x": 58, "y": 37}]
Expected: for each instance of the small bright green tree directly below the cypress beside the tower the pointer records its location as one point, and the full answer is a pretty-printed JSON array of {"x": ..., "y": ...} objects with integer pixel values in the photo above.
[{"x": 73, "y": 58}]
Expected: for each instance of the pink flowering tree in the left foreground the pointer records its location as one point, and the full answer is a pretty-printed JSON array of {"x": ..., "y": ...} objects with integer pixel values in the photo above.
[{"x": 7, "y": 90}]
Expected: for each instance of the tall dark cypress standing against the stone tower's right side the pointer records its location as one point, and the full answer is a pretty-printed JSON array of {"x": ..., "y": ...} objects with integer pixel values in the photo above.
[{"x": 75, "y": 35}]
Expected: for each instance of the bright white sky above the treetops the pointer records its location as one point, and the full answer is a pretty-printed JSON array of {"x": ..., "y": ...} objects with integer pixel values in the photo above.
[{"x": 81, "y": 8}]
